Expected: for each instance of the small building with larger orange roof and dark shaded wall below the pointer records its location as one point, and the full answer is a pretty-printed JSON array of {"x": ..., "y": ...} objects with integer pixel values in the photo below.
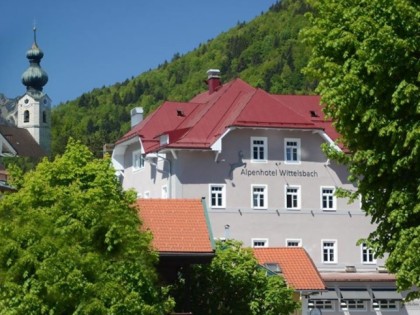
[{"x": 181, "y": 233}]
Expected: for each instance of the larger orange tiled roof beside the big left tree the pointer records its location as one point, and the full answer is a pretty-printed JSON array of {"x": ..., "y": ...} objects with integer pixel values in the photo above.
[{"x": 177, "y": 225}]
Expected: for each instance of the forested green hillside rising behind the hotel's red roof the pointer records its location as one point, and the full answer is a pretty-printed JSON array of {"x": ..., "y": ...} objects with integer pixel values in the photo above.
[{"x": 265, "y": 52}]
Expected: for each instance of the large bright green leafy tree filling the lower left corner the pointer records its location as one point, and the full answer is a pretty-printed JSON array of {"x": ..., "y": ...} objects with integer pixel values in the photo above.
[{"x": 70, "y": 243}]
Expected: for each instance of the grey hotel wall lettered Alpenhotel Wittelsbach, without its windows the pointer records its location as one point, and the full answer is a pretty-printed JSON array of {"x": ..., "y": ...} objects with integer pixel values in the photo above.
[{"x": 190, "y": 173}]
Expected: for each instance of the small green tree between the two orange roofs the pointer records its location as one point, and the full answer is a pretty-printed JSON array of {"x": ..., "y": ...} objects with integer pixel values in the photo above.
[{"x": 234, "y": 284}]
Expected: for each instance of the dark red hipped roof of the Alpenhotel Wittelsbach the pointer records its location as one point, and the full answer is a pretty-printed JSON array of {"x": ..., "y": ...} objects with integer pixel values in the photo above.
[{"x": 200, "y": 122}]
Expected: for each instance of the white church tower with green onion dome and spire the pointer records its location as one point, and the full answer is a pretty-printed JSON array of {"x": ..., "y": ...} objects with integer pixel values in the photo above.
[{"x": 34, "y": 107}]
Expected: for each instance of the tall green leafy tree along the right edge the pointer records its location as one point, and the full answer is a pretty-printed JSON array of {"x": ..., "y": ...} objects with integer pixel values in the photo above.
[{"x": 366, "y": 58}]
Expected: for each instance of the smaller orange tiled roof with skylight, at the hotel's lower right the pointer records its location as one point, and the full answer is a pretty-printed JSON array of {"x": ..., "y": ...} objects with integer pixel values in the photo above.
[{"x": 297, "y": 267}]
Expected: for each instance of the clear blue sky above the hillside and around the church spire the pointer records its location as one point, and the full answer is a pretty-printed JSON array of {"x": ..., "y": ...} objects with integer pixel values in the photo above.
[{"x": 91, "y": 43}]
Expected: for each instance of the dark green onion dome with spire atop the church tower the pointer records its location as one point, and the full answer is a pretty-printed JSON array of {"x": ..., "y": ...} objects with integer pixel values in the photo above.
[{"x": 34, "y": 78}]
